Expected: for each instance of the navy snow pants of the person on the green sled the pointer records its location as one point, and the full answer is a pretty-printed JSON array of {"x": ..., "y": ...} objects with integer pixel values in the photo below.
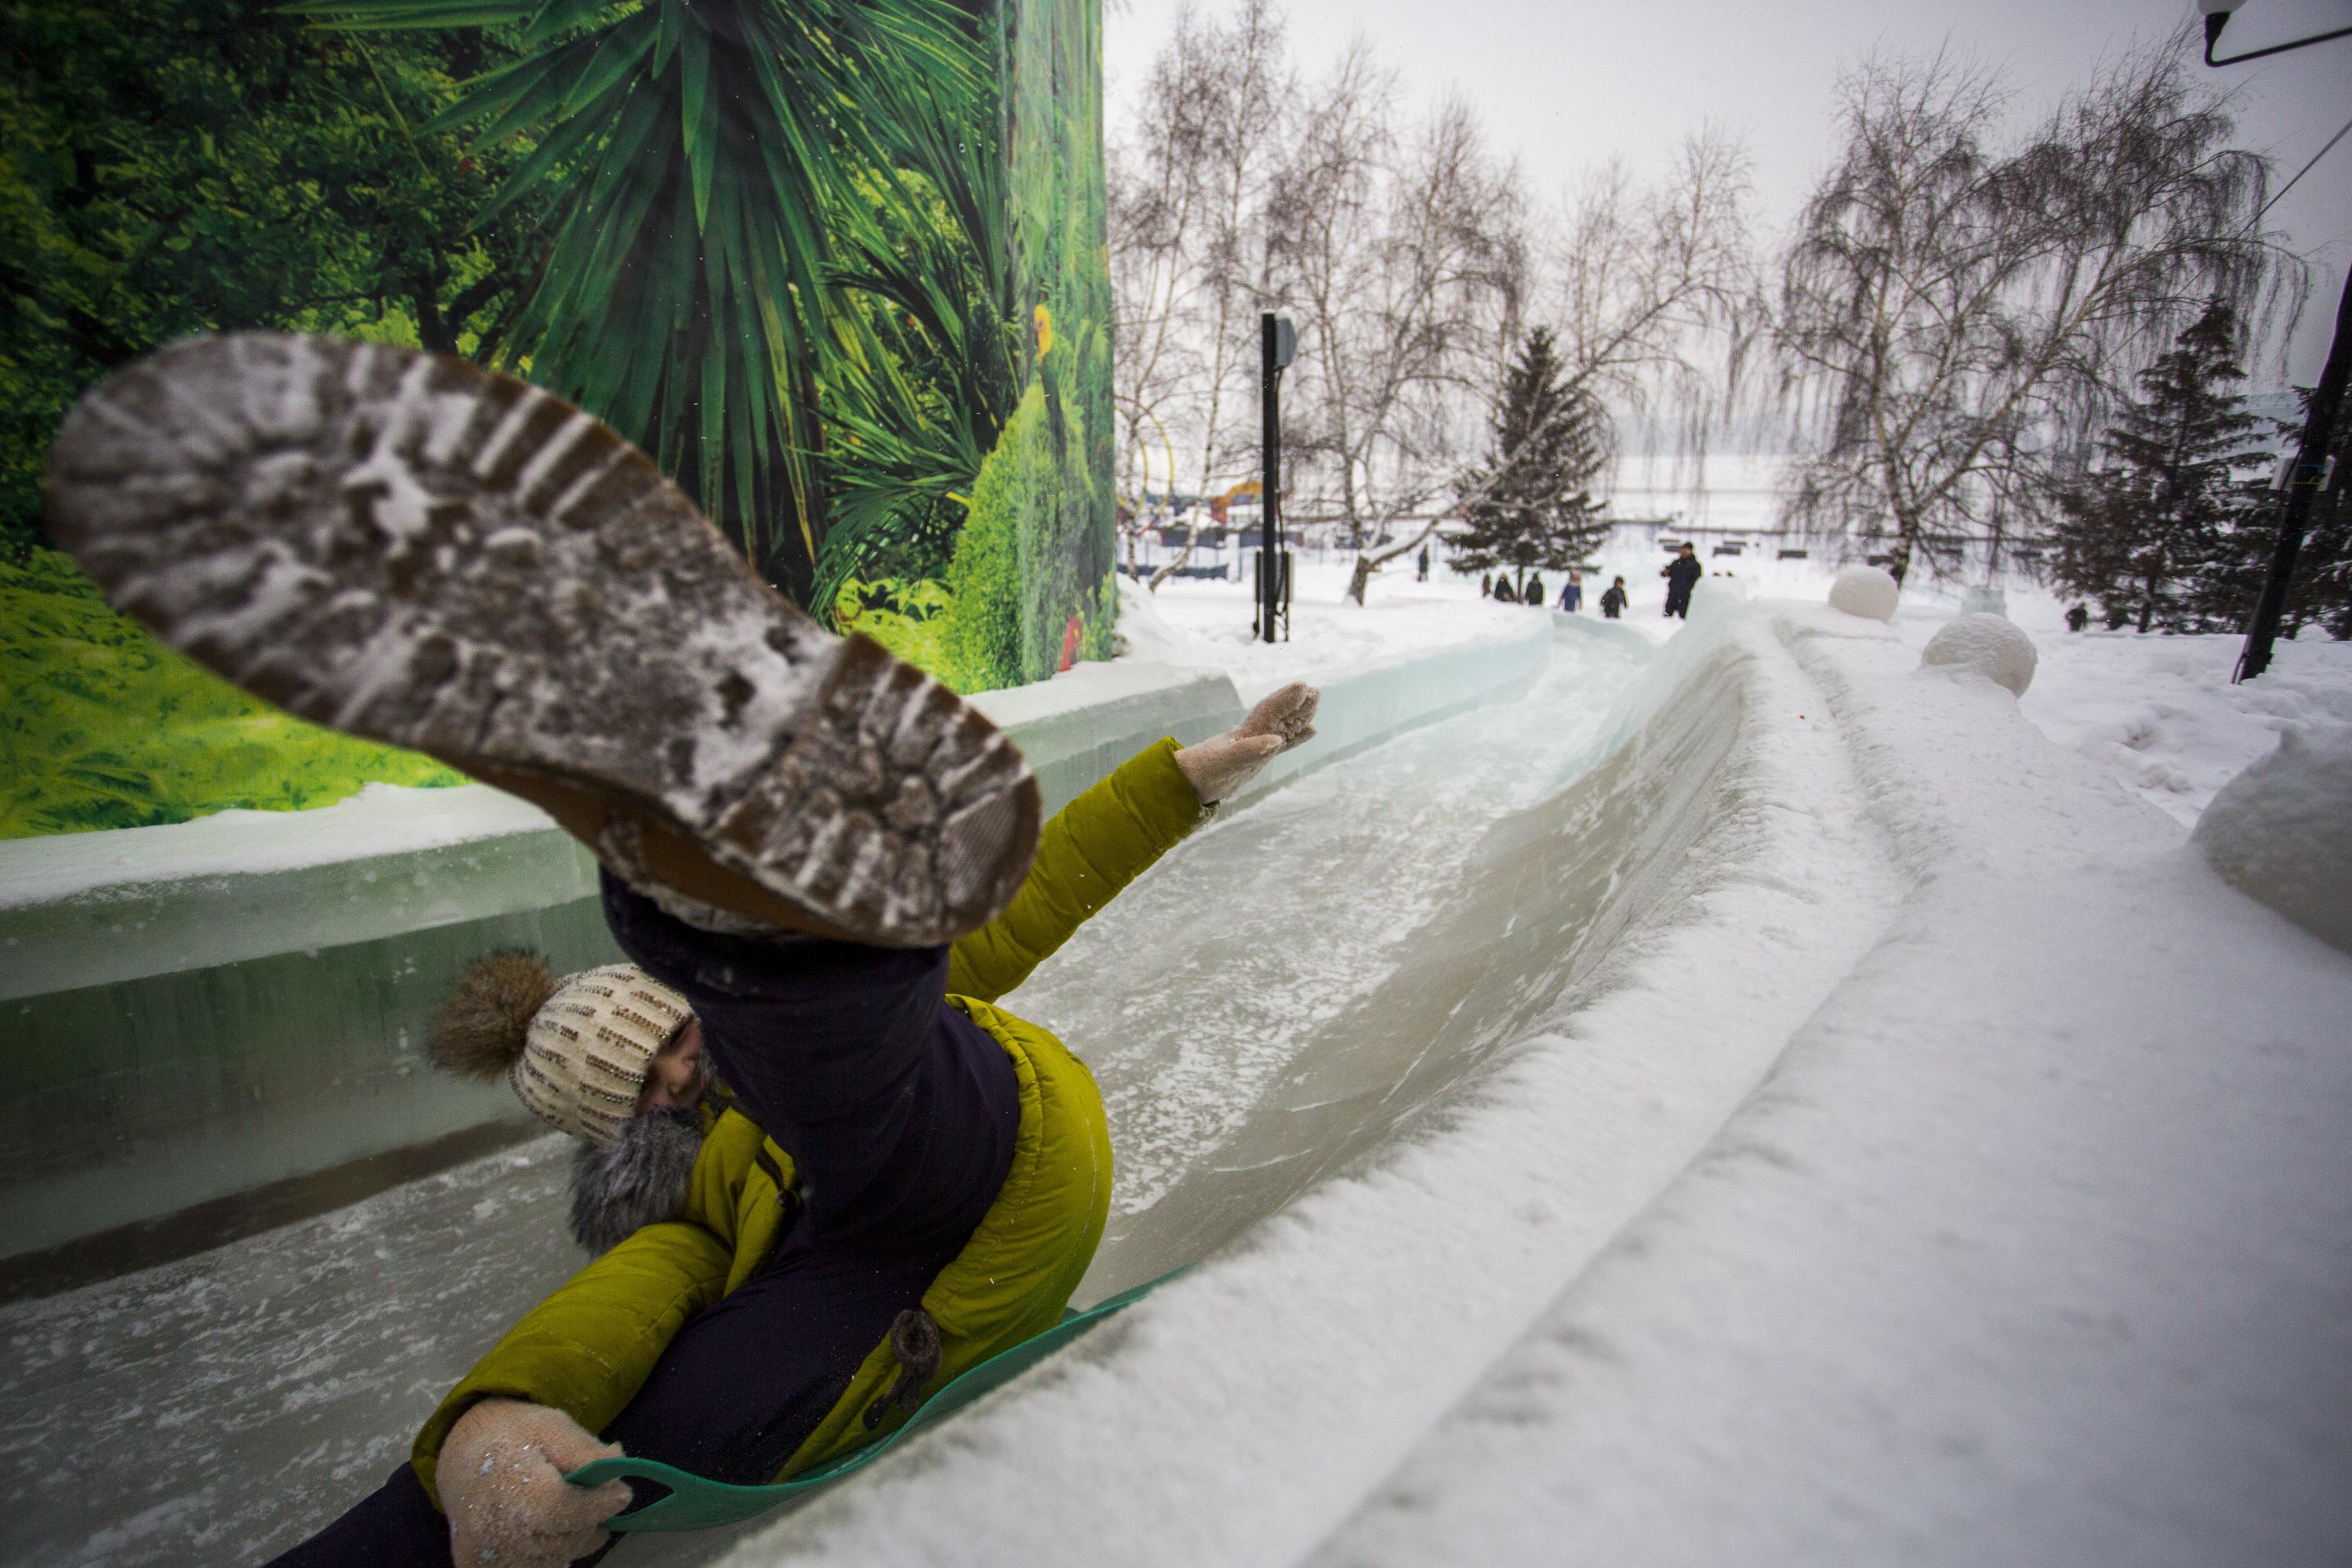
[{"x": 900, "y": 1115}]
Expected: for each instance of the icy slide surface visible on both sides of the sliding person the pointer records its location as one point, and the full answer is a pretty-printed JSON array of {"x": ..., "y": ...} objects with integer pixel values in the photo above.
[{"x": 1285, "y": 991}]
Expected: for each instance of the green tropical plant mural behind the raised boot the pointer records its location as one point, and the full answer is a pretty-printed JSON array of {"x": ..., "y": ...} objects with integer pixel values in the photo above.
[{"x": 838, "y": 264}]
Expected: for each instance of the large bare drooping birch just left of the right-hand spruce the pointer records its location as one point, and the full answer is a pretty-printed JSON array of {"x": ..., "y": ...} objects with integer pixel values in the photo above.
[{"x": 1956, "y": 319}]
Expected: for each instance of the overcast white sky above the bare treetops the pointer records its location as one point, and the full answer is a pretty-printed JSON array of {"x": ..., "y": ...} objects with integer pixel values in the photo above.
[{"x": 1565, "y": 86}]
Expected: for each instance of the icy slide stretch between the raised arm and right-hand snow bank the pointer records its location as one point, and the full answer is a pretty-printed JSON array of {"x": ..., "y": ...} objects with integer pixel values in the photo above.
[{"x": 1358, "y": 944}]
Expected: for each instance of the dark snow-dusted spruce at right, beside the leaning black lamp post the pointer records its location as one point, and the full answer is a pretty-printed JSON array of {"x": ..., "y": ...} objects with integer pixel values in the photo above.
[{"x": 2158, "y": 537}]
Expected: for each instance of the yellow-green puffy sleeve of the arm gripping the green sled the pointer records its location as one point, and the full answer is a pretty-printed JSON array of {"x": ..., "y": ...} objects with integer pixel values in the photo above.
[{"x": 589, "y": 1348}]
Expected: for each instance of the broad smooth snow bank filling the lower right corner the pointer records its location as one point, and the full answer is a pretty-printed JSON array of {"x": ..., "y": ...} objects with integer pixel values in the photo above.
[{"x": 2033, "y": 1249}]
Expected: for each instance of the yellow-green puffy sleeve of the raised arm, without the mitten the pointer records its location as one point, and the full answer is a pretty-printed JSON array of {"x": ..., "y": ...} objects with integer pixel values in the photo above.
[{"x": 1095, "y": 847}]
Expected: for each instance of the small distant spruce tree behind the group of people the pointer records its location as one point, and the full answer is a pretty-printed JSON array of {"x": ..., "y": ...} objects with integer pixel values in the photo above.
[{"x": 1532, "y": 507}]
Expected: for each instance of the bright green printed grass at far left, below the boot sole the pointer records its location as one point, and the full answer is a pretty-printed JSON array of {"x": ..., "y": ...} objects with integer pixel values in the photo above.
[{"x": 105, "y": 728}]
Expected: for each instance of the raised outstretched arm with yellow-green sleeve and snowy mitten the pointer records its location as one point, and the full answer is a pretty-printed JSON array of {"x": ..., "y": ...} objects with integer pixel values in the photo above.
[{"x": 1114, "y": 833}]
